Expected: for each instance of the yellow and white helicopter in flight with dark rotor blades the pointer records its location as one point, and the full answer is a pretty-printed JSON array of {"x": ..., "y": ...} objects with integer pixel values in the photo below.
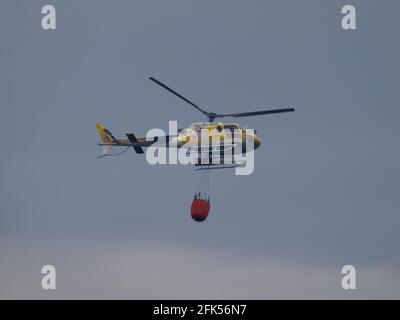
[{"x": 208, "y": 149}]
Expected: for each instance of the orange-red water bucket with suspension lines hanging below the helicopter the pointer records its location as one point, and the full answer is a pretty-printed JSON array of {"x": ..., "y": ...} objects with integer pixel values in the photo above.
[{"x": 201, "y": 202}]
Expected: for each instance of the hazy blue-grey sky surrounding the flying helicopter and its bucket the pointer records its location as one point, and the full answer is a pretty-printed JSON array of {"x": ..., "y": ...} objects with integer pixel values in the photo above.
[{"x": 325, "y": 191}]
